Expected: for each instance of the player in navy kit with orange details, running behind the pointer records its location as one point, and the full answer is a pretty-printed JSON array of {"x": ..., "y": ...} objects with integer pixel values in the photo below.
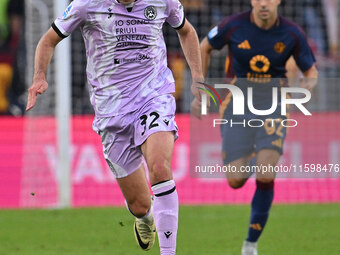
[{"x": 260, "y": 42}]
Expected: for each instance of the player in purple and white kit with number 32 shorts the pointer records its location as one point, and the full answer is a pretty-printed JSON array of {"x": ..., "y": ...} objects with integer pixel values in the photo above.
[{"x": 130, "y": 89}]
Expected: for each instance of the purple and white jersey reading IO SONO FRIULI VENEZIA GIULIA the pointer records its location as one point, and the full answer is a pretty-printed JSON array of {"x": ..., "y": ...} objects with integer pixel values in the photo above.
[{"x": 125, "y": 48}]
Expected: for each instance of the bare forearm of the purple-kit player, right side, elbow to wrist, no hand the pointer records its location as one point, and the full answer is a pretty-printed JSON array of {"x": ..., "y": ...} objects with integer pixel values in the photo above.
[{"x": 190, "y": 46}]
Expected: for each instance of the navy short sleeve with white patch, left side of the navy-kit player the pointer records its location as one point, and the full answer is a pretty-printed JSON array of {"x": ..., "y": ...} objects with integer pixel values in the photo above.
[{"x": 217, "y": 36}]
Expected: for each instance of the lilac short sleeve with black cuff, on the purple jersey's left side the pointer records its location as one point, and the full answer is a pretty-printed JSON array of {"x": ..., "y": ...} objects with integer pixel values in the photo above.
[{"x": 74, "y": 15}]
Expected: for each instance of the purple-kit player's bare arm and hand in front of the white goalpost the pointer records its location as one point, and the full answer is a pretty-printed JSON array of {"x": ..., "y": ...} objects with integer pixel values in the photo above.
[{"x": 43, "y": 55}]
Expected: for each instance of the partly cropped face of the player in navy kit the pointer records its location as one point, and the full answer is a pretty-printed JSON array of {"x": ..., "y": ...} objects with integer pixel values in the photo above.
[{"x": 265, "y": 9}]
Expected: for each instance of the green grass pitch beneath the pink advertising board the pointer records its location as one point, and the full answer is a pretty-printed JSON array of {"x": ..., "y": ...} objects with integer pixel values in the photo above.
[{"x": 212, "y": 230}]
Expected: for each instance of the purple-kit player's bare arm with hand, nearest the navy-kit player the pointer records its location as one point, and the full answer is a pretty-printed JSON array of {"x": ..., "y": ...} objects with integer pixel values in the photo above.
[{"x": 191, "y": 49}]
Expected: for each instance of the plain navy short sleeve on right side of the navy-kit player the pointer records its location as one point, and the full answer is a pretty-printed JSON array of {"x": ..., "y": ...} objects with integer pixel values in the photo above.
[{"x": 303, "y": 54}]
